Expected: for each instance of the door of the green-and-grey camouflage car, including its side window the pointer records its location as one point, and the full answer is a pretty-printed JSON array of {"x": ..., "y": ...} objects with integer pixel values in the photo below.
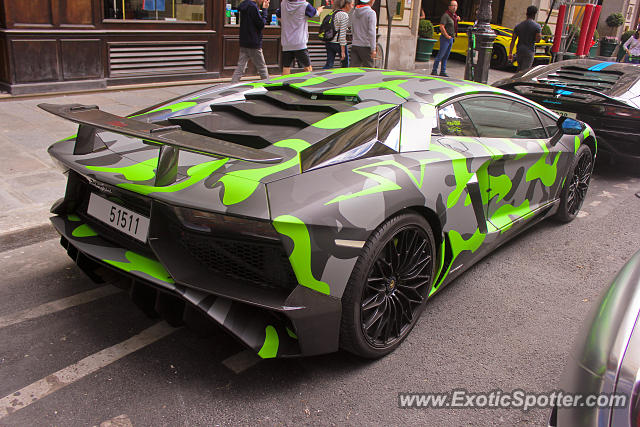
[{"x": 523, "y": 172}]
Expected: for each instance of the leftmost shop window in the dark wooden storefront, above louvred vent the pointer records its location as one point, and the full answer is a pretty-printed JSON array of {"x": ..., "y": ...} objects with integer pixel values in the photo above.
[{"x": 155, "y": 10}]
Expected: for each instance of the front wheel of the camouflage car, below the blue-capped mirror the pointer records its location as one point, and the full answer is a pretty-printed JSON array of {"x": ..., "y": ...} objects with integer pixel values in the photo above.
[{"x": 576, "y": 185}]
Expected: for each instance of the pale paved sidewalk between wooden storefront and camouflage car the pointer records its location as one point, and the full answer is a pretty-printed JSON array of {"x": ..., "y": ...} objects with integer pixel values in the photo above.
[{"x": 30, "y": 183}]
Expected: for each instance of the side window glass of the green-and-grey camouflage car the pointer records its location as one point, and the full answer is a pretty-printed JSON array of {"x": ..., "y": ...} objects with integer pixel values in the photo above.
[{"x": 496, "y": 117}]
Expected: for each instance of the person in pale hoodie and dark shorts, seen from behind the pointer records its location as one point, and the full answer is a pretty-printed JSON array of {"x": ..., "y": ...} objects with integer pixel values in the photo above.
[{"x": 294, "y": 32}]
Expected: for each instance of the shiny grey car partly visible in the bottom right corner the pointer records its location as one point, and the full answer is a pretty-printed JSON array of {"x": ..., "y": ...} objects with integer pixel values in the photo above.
[{"x": 606, "y": 356}]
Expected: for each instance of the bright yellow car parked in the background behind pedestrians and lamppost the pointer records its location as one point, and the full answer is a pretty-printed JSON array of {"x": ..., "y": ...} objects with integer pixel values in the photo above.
[{"x": 499, "y": 55}]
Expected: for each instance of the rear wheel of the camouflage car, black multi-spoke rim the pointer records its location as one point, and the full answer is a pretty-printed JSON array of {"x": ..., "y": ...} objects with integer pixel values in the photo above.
[{"x": 391, "y": 280}]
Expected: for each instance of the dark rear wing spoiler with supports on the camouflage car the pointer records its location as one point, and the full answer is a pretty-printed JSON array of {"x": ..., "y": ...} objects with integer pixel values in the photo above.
[{"x": 90, "y": 118}]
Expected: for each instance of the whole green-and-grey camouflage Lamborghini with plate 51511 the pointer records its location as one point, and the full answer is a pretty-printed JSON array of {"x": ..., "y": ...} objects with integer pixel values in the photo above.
[{"x": 312, "y": 211}]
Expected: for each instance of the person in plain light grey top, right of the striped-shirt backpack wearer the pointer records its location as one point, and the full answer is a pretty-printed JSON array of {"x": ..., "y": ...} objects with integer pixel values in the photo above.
[{"x": 363, "y": 29}]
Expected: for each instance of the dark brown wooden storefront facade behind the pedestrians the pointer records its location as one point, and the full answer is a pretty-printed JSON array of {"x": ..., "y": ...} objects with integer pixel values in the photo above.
[{"x": 60, "y": 45}]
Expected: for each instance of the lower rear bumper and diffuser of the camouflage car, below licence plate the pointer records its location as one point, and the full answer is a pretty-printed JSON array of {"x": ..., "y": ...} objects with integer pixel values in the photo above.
[{"x": 302, "y": 323}]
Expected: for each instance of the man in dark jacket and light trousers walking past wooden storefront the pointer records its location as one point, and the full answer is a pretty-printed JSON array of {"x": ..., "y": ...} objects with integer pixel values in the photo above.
[{"x": 252, "y": 21}]
